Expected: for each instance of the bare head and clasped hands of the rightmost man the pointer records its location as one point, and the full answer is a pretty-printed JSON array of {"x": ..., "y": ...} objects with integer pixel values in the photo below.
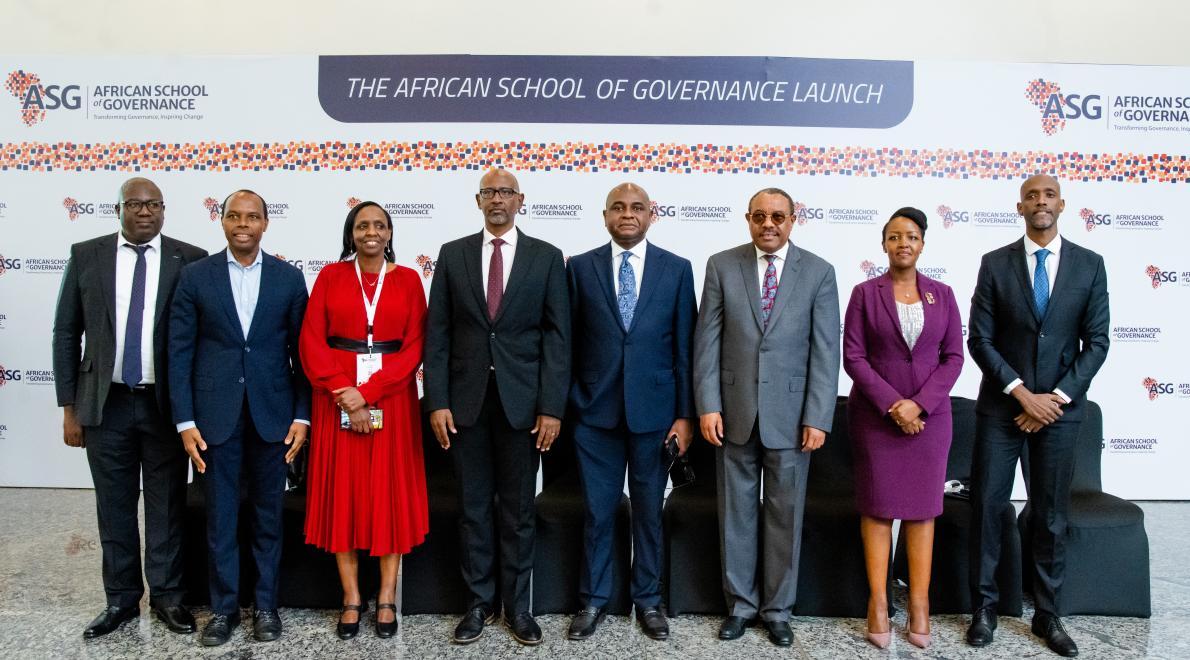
[{"x": 1041, "y": 206}]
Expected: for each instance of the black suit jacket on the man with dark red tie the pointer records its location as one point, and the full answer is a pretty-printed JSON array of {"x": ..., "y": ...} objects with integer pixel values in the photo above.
[{"x": 529, "y": 342}]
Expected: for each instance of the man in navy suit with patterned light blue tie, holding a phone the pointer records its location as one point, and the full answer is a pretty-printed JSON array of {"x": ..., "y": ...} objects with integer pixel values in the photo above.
[{"x": 634, "y": 312}]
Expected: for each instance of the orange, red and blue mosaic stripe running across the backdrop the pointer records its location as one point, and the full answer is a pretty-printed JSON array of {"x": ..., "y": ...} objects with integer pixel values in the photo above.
[{"x": 593, "y": 158}]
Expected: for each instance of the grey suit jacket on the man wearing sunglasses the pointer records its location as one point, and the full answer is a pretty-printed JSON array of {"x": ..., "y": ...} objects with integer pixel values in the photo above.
[{"x": 784, "y": 378}]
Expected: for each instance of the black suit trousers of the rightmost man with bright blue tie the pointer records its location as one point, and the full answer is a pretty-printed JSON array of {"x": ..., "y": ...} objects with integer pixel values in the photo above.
[{"x": 999, "y": 444}]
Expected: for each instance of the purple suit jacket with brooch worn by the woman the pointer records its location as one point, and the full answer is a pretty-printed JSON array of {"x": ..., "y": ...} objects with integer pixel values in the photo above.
[{"x": 882, "y": 368}]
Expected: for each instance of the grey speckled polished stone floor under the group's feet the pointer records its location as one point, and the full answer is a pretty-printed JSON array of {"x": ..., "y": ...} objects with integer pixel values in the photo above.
[{"x": 51, "y": 589}]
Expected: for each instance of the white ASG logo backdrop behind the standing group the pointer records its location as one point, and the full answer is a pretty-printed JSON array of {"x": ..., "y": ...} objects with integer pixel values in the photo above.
[{"x": 851, "y": 141}]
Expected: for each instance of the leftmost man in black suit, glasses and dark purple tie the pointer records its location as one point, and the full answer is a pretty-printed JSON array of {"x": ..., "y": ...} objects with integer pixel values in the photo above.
[{"x": 117, "y": 292}]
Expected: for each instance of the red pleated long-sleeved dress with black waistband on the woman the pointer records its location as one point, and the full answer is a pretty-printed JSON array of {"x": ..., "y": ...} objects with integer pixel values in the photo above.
[{"x": 366, "y": 492}]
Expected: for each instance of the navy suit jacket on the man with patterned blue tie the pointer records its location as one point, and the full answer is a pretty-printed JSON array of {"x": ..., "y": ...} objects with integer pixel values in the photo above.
[{"x": 643, "y": 375}]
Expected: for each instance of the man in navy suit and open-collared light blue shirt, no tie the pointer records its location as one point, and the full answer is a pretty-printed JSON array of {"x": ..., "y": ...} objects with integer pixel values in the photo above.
[{"x": 241, "y": 401}]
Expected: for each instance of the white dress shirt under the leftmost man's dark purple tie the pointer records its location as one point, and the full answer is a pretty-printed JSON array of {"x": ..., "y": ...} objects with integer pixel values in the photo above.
[{"x": 126, "y": 263}]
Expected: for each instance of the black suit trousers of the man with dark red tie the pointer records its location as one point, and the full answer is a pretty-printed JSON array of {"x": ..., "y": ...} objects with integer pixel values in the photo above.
[{"x": 492, "y": 458}]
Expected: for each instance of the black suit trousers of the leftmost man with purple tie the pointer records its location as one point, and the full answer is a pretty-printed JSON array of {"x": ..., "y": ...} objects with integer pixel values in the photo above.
[{"x": 136, "y": 443}]
